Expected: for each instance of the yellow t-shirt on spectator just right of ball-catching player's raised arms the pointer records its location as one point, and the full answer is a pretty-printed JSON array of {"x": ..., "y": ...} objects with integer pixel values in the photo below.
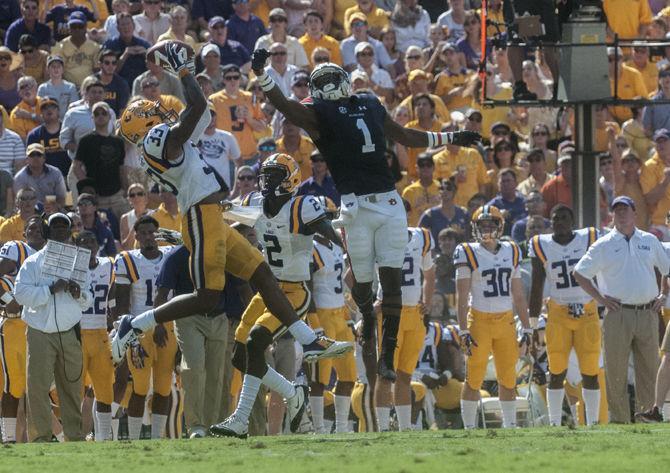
[{"x": 226, "y": 107}]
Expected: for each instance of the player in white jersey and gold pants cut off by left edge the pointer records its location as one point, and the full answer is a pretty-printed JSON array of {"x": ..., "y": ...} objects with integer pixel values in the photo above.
[{"x": 12, "y": 328}]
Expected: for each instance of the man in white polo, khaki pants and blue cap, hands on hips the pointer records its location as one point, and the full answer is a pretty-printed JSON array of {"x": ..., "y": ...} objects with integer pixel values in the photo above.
[{"x": 624, "y": 263}]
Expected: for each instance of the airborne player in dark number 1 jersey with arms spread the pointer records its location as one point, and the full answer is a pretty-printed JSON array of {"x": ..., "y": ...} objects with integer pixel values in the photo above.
[{"x": 350, "y": 132}]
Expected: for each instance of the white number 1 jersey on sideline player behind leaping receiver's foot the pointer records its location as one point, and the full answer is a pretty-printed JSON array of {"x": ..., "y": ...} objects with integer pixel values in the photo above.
[{"x": 140, "y": 273}]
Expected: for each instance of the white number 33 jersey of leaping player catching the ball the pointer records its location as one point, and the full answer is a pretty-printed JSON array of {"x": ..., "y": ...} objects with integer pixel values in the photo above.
[{"x": 189, "y": 178}]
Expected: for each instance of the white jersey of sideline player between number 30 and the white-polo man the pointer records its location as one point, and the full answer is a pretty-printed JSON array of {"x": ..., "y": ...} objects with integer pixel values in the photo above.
[{"x": 559, "y": 261}]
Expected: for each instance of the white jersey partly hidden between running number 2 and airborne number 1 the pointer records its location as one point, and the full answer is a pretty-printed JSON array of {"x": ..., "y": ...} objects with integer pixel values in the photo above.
[{"x": 328, "y": 262}]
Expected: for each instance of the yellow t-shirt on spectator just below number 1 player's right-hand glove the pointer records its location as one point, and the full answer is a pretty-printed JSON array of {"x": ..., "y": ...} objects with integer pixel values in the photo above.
[{"x": 470, "y": 166}]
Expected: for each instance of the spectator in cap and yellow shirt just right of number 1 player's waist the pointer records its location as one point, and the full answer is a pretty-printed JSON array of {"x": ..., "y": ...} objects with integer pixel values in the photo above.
[{"x": 423, "y": 193}]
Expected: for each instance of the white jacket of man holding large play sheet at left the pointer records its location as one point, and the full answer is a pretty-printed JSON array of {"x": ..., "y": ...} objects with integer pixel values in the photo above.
[{"x": 43, "y": 311}]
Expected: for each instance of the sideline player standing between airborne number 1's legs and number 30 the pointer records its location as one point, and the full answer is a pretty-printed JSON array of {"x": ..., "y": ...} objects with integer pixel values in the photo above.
[{"x": 417, "y": 285}]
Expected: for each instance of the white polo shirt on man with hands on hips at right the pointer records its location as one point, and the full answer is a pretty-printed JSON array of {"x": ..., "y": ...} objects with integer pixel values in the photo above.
[{"x": 625, "y": 268}]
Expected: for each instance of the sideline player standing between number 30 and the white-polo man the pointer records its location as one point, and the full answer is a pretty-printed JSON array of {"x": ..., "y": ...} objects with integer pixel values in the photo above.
[{"x": 572, "y": 315}]
